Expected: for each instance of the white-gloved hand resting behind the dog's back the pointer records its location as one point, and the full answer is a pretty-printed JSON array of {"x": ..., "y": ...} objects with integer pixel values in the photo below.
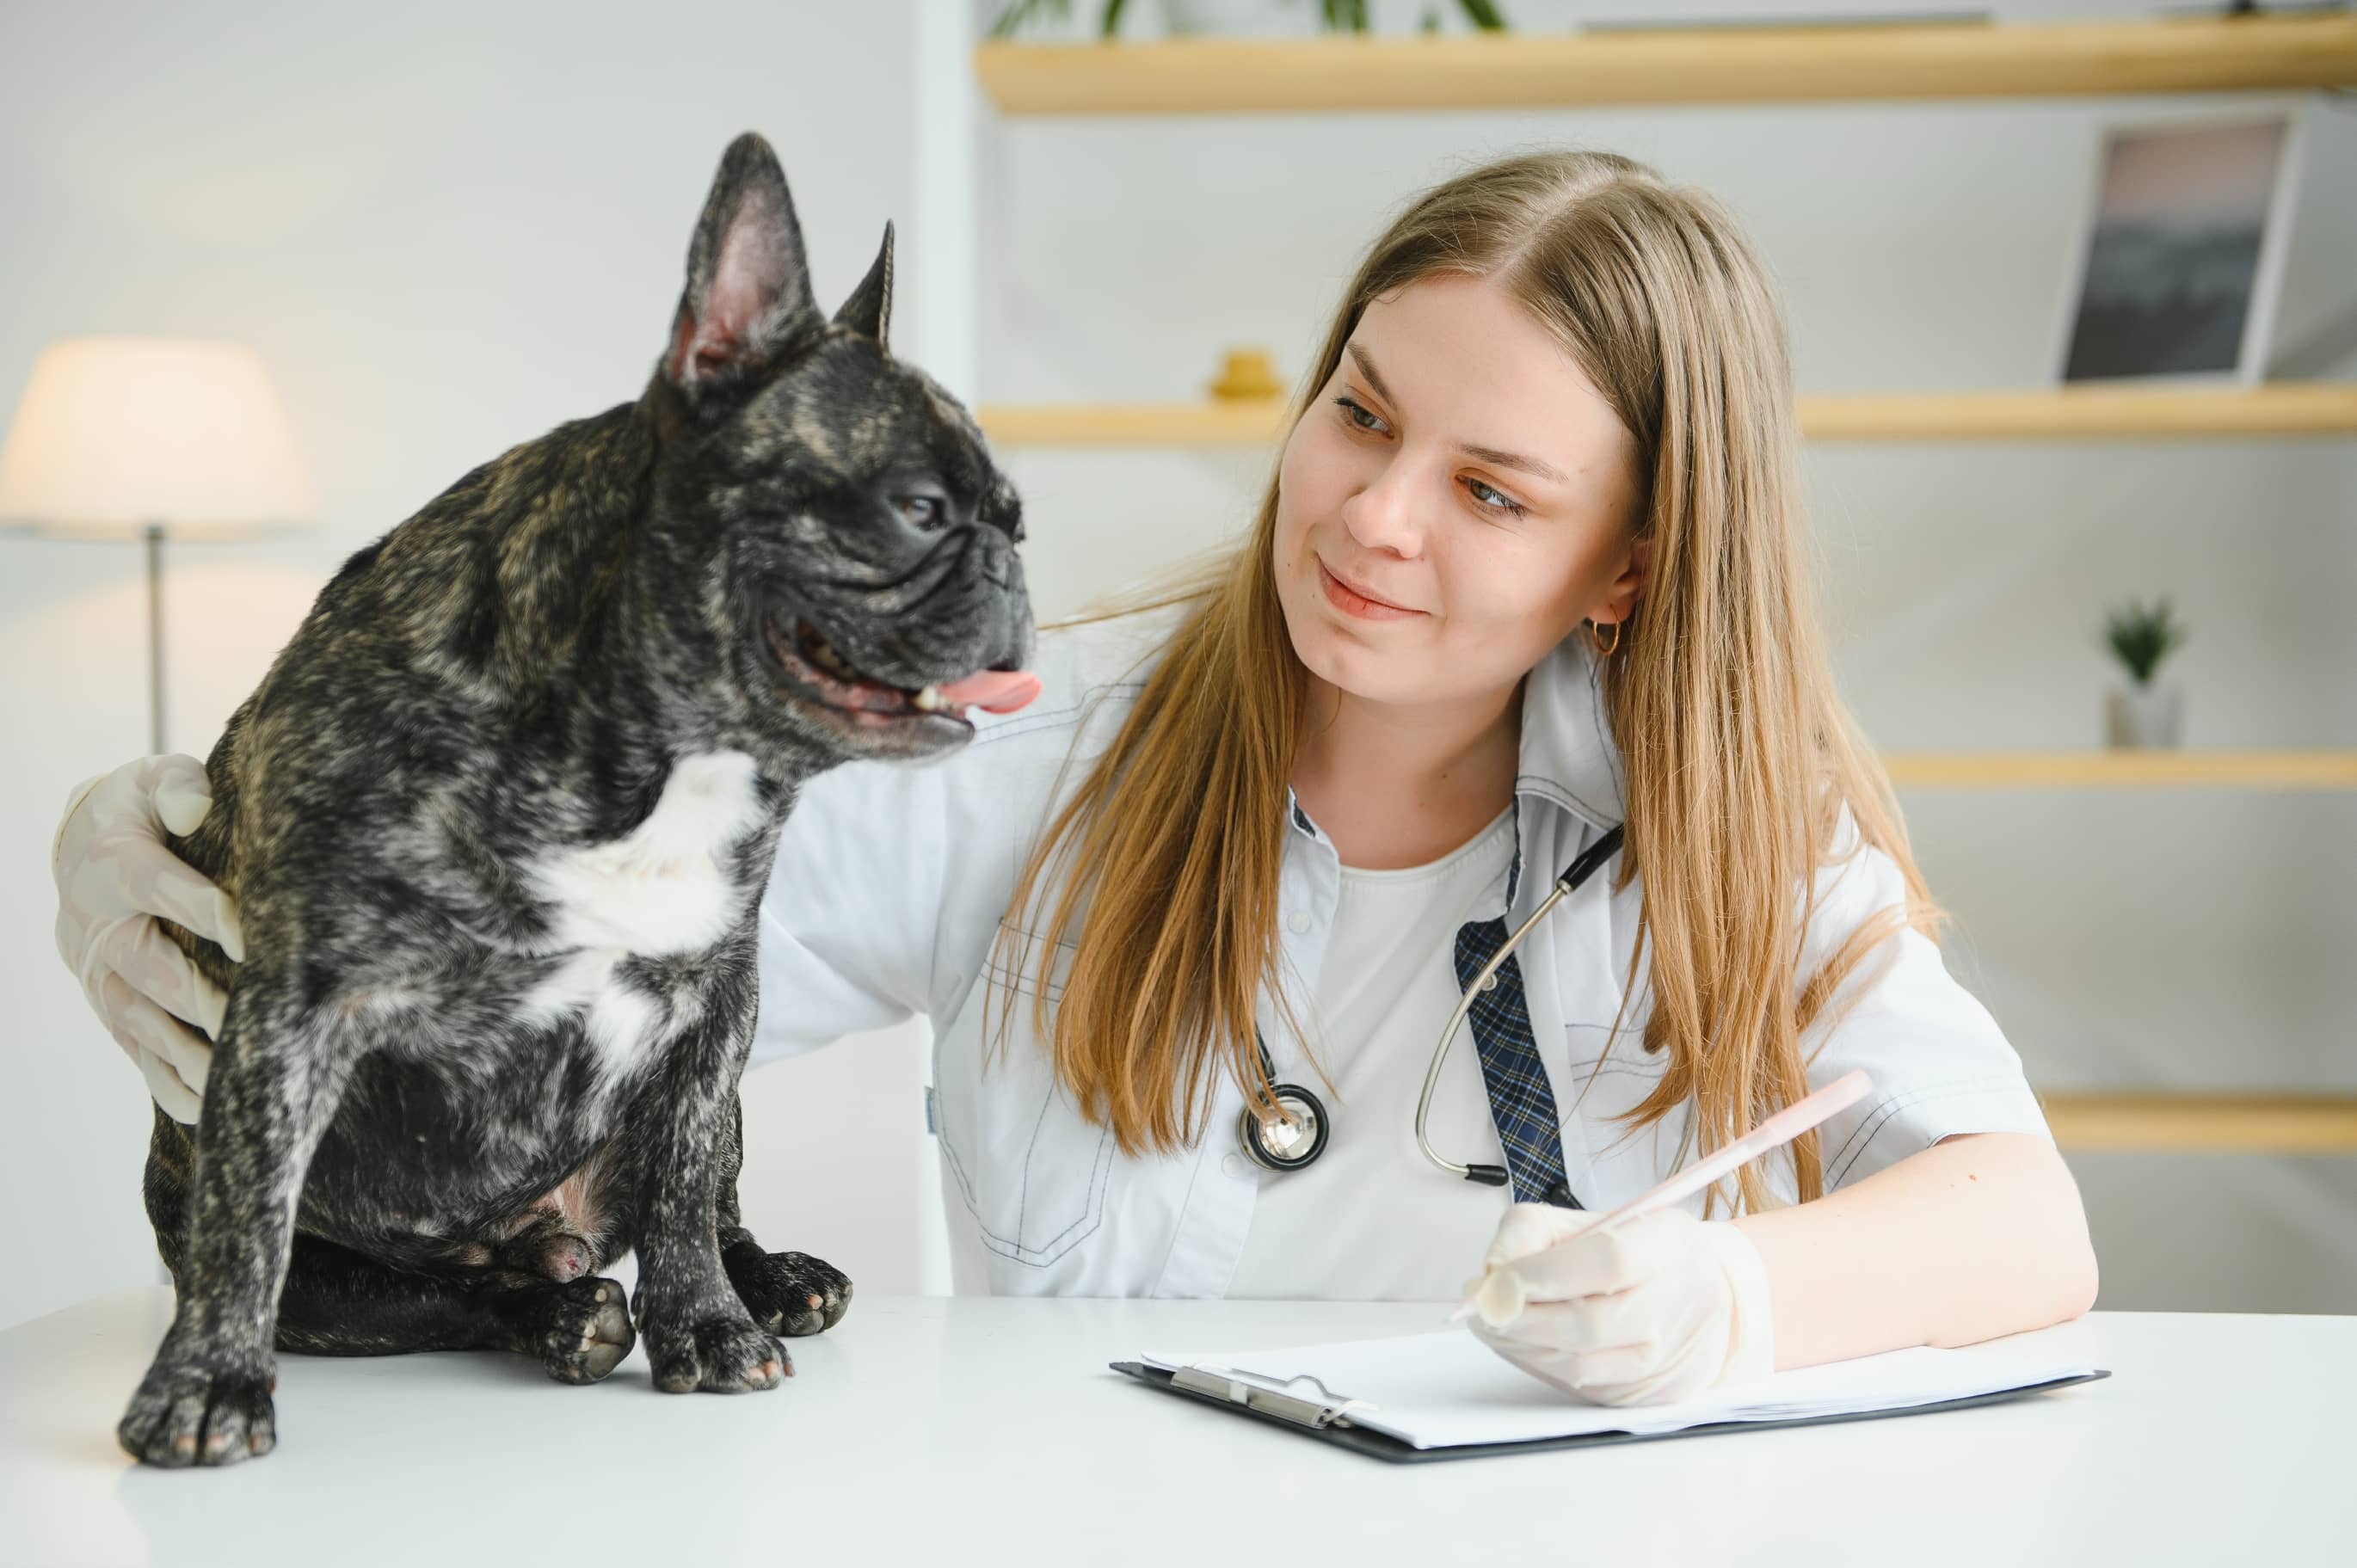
[{"x": 114, "y": 876}]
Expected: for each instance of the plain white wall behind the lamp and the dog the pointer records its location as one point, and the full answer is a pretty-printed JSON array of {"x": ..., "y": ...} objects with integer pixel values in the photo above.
[{"x": 447, "y": 228}]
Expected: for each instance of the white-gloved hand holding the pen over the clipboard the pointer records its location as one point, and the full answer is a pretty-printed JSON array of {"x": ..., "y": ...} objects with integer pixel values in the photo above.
[{"x": 1661, "y": 1310}]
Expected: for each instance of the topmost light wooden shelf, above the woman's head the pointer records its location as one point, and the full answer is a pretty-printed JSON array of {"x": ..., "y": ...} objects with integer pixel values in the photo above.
[{"x": 1672, "y": 67}]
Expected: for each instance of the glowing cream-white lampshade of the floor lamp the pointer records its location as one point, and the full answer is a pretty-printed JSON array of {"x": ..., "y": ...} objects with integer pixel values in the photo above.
[{"x": 124, "y": 433}]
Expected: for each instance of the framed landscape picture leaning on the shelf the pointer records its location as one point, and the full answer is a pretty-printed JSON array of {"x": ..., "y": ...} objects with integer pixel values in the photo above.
[{"x": 2184, "y": 253}]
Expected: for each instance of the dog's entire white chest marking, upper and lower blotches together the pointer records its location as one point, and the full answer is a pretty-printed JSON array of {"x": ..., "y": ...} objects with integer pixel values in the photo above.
[{"x": 656, "y": 892}]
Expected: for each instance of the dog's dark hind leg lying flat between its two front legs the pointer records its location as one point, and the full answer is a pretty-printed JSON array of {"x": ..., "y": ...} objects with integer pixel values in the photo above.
[{"x": 341, "y": 1303}]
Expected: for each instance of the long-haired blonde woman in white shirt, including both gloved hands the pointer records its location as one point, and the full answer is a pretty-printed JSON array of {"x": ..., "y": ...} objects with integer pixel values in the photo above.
[{"x": 1533, "y": 567}]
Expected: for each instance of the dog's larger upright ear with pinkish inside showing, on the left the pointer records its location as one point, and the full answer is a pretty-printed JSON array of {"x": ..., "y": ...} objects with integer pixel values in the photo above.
[{"x": 748, "y": 282}]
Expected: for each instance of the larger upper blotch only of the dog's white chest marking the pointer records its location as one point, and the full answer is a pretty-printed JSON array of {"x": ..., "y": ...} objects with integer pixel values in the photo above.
[{"x": 661, "y": 890}]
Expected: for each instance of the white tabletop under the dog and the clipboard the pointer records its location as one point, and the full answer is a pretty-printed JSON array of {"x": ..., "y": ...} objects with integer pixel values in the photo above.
[{"x": 989, "y": 1430}]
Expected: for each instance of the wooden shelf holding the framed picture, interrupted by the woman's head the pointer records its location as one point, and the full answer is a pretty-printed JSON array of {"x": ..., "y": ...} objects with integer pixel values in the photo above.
[{"x": 2064, "y": 414}]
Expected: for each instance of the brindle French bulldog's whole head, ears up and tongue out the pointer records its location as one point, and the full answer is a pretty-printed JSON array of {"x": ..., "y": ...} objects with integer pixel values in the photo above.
[{"x": 866, "y": 584}]
